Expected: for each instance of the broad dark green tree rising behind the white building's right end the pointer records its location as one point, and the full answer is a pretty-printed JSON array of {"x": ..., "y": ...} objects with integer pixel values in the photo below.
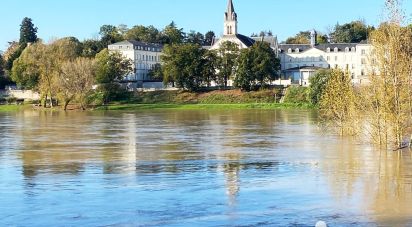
[{"x": 353, "y": 32}]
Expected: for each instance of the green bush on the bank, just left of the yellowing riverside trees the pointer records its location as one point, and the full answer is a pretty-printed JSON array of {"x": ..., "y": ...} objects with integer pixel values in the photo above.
[{"x": 318, "y": 84}]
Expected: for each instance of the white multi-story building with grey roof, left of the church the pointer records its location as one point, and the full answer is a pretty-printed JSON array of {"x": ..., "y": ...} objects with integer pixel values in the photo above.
[{"x": 144, "y": 57}]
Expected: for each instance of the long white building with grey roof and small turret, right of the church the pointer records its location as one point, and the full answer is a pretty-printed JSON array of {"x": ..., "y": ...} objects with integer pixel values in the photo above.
[{"x": 300, "y": 61}]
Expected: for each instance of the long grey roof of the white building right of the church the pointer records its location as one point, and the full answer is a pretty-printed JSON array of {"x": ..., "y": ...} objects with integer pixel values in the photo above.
[{"x": 323, "y": 47}]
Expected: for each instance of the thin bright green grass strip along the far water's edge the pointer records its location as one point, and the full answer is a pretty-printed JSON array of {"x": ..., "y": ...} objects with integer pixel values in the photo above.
[{"x": 267, "y": 106}]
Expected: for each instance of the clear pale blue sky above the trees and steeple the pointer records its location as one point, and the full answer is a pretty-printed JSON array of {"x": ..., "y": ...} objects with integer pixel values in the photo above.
[{"x": 82, "y": 18}]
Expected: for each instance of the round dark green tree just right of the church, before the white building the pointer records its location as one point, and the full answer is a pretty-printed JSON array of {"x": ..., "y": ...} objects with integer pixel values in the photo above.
[{"x": 257, "y": 67}]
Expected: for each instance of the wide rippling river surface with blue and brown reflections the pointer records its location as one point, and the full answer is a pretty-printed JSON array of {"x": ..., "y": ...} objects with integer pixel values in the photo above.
[{"x": 178, "y": 168}]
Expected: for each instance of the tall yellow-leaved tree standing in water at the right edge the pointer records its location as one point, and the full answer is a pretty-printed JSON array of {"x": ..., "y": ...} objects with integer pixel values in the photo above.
[{"x": 389, "y": 101}]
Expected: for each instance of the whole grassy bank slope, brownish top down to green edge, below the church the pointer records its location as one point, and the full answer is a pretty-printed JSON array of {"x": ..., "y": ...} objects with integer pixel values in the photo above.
[{"x": 231, "y": 99}]
